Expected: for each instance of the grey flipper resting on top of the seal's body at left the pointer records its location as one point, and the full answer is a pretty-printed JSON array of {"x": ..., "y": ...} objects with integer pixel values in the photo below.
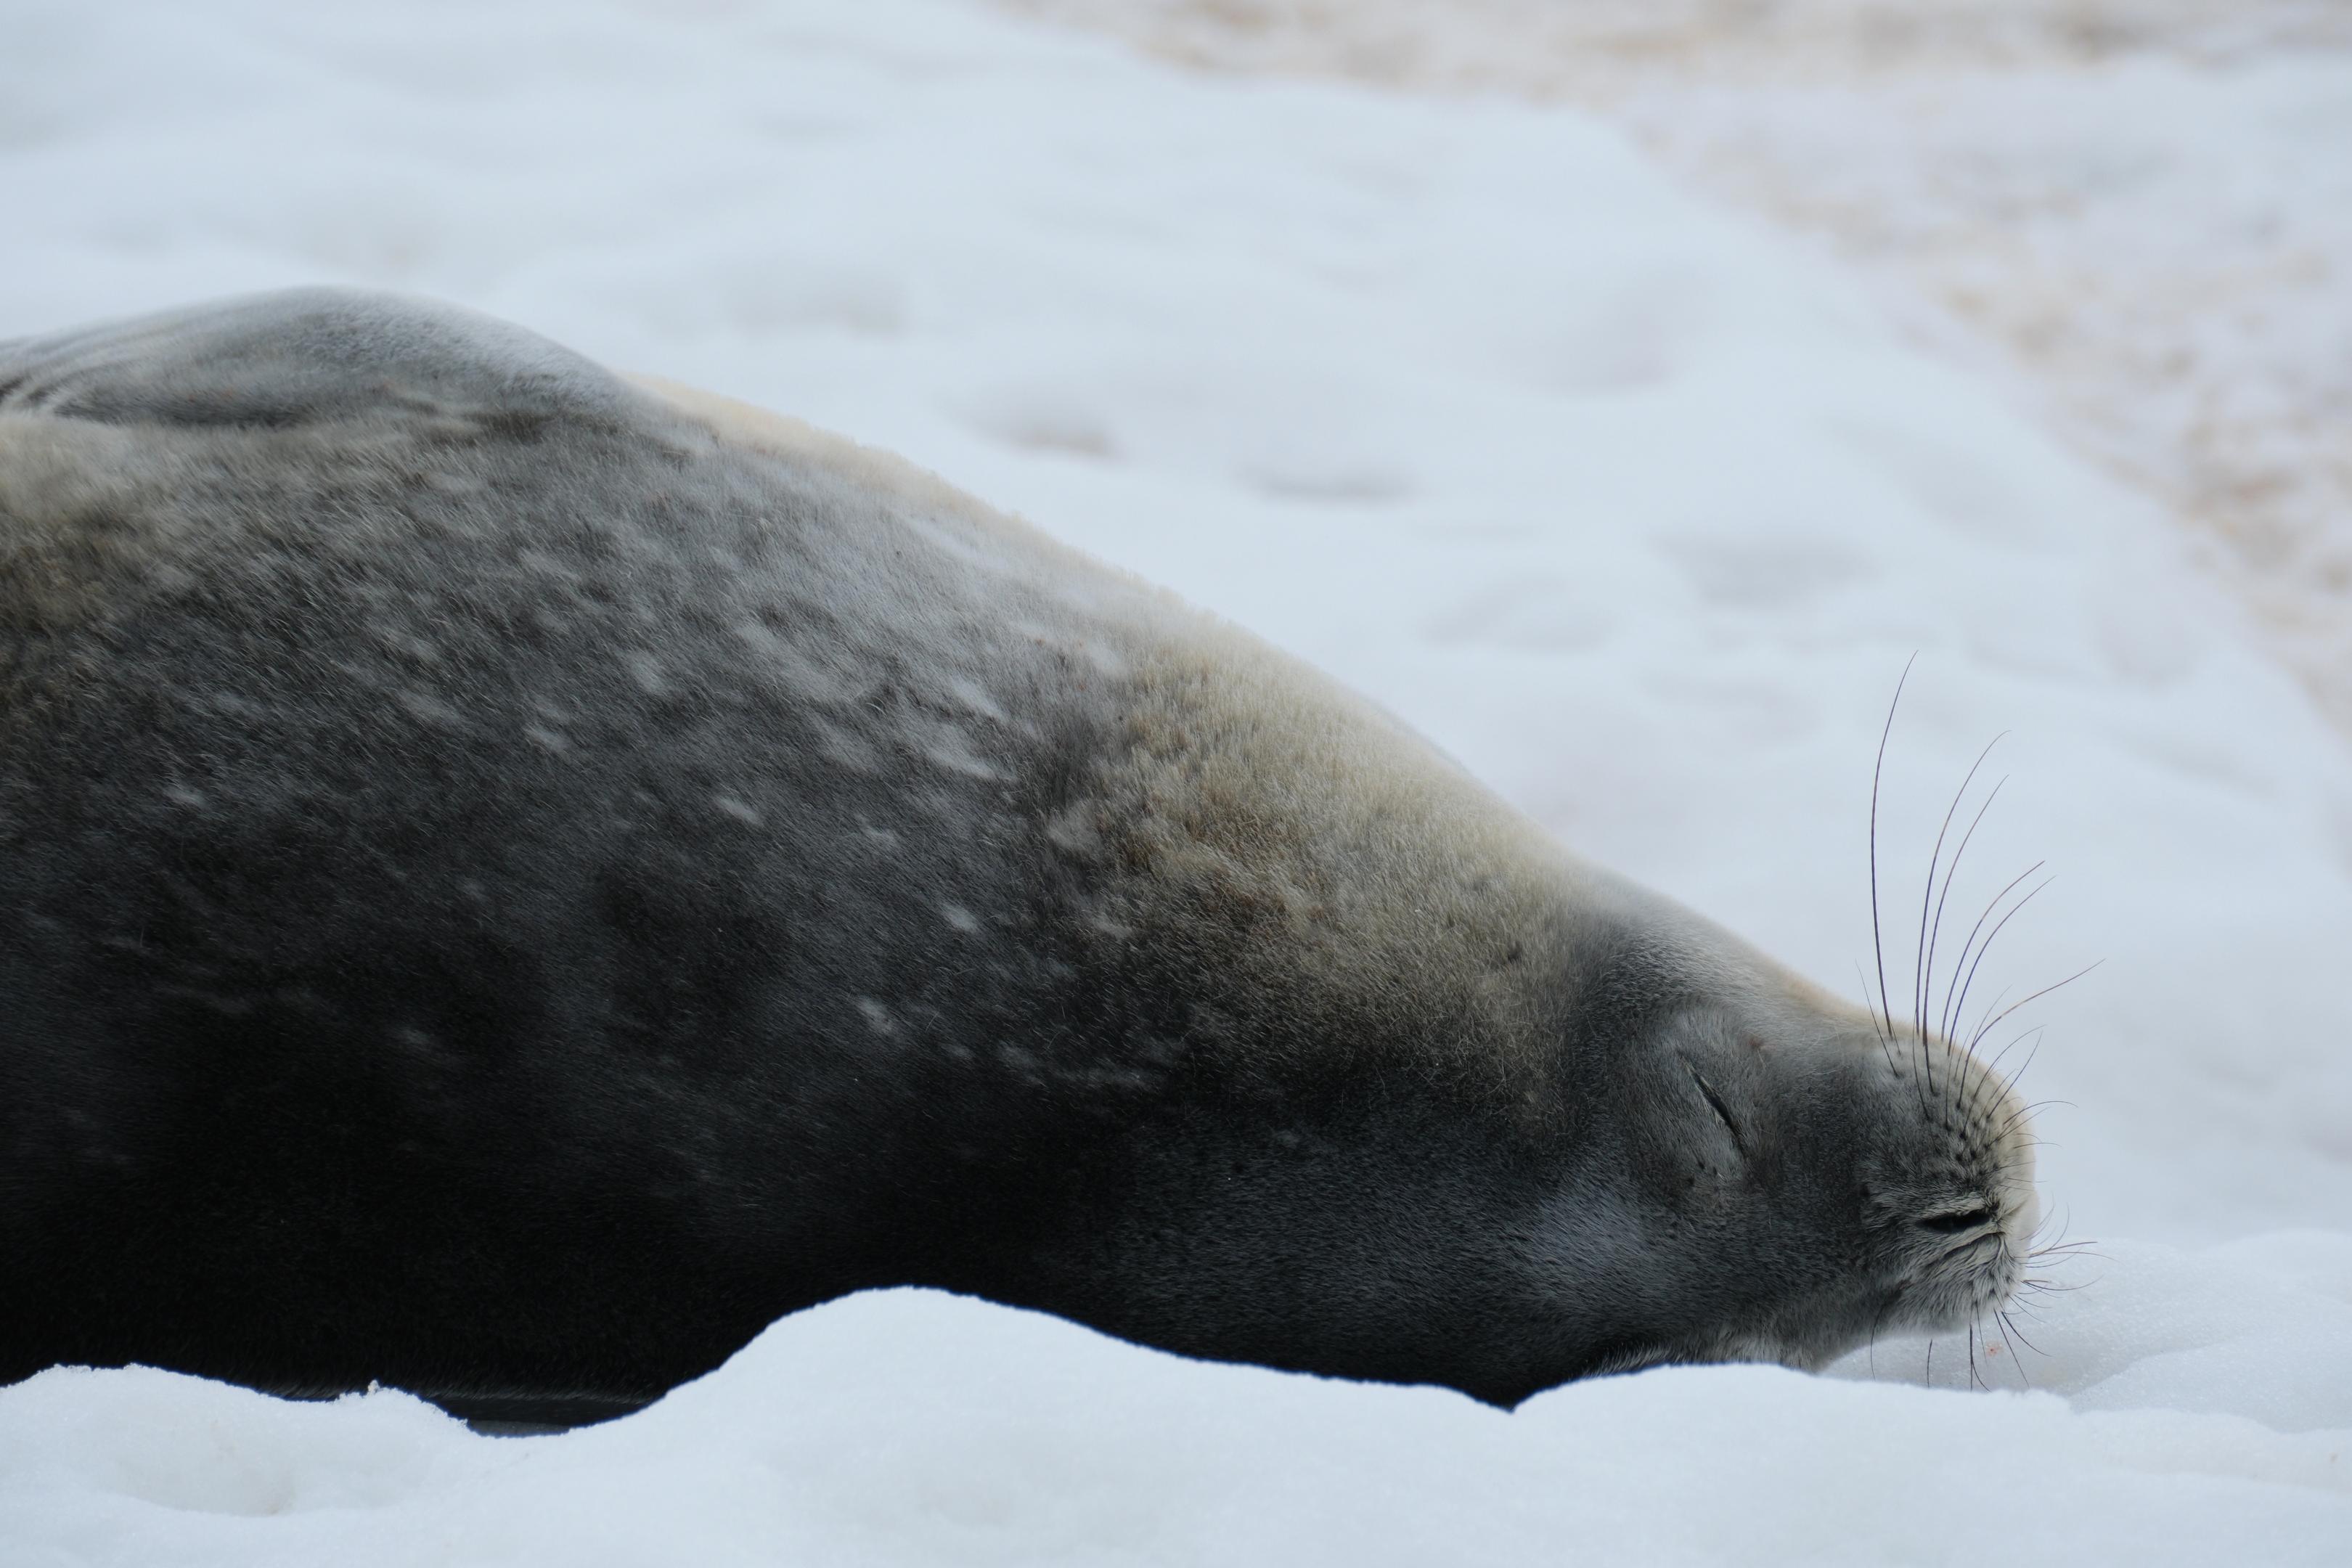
[{"x": 300, "y": 359}]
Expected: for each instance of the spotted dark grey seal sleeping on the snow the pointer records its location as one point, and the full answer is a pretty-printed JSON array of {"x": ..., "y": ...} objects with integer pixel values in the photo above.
[{"x": 514, "y": 878}]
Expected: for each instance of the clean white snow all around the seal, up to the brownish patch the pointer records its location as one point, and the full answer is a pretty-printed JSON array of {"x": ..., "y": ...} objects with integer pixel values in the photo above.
[{"x": 1631, "y": 502}]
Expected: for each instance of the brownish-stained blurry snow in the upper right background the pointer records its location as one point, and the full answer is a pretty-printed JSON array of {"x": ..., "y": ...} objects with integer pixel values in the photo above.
[{"x": 2134, "y": 213}]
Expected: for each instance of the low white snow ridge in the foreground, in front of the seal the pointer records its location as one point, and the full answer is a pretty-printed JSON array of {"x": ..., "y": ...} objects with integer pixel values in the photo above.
[{"x": 923, "y": 1428}]
